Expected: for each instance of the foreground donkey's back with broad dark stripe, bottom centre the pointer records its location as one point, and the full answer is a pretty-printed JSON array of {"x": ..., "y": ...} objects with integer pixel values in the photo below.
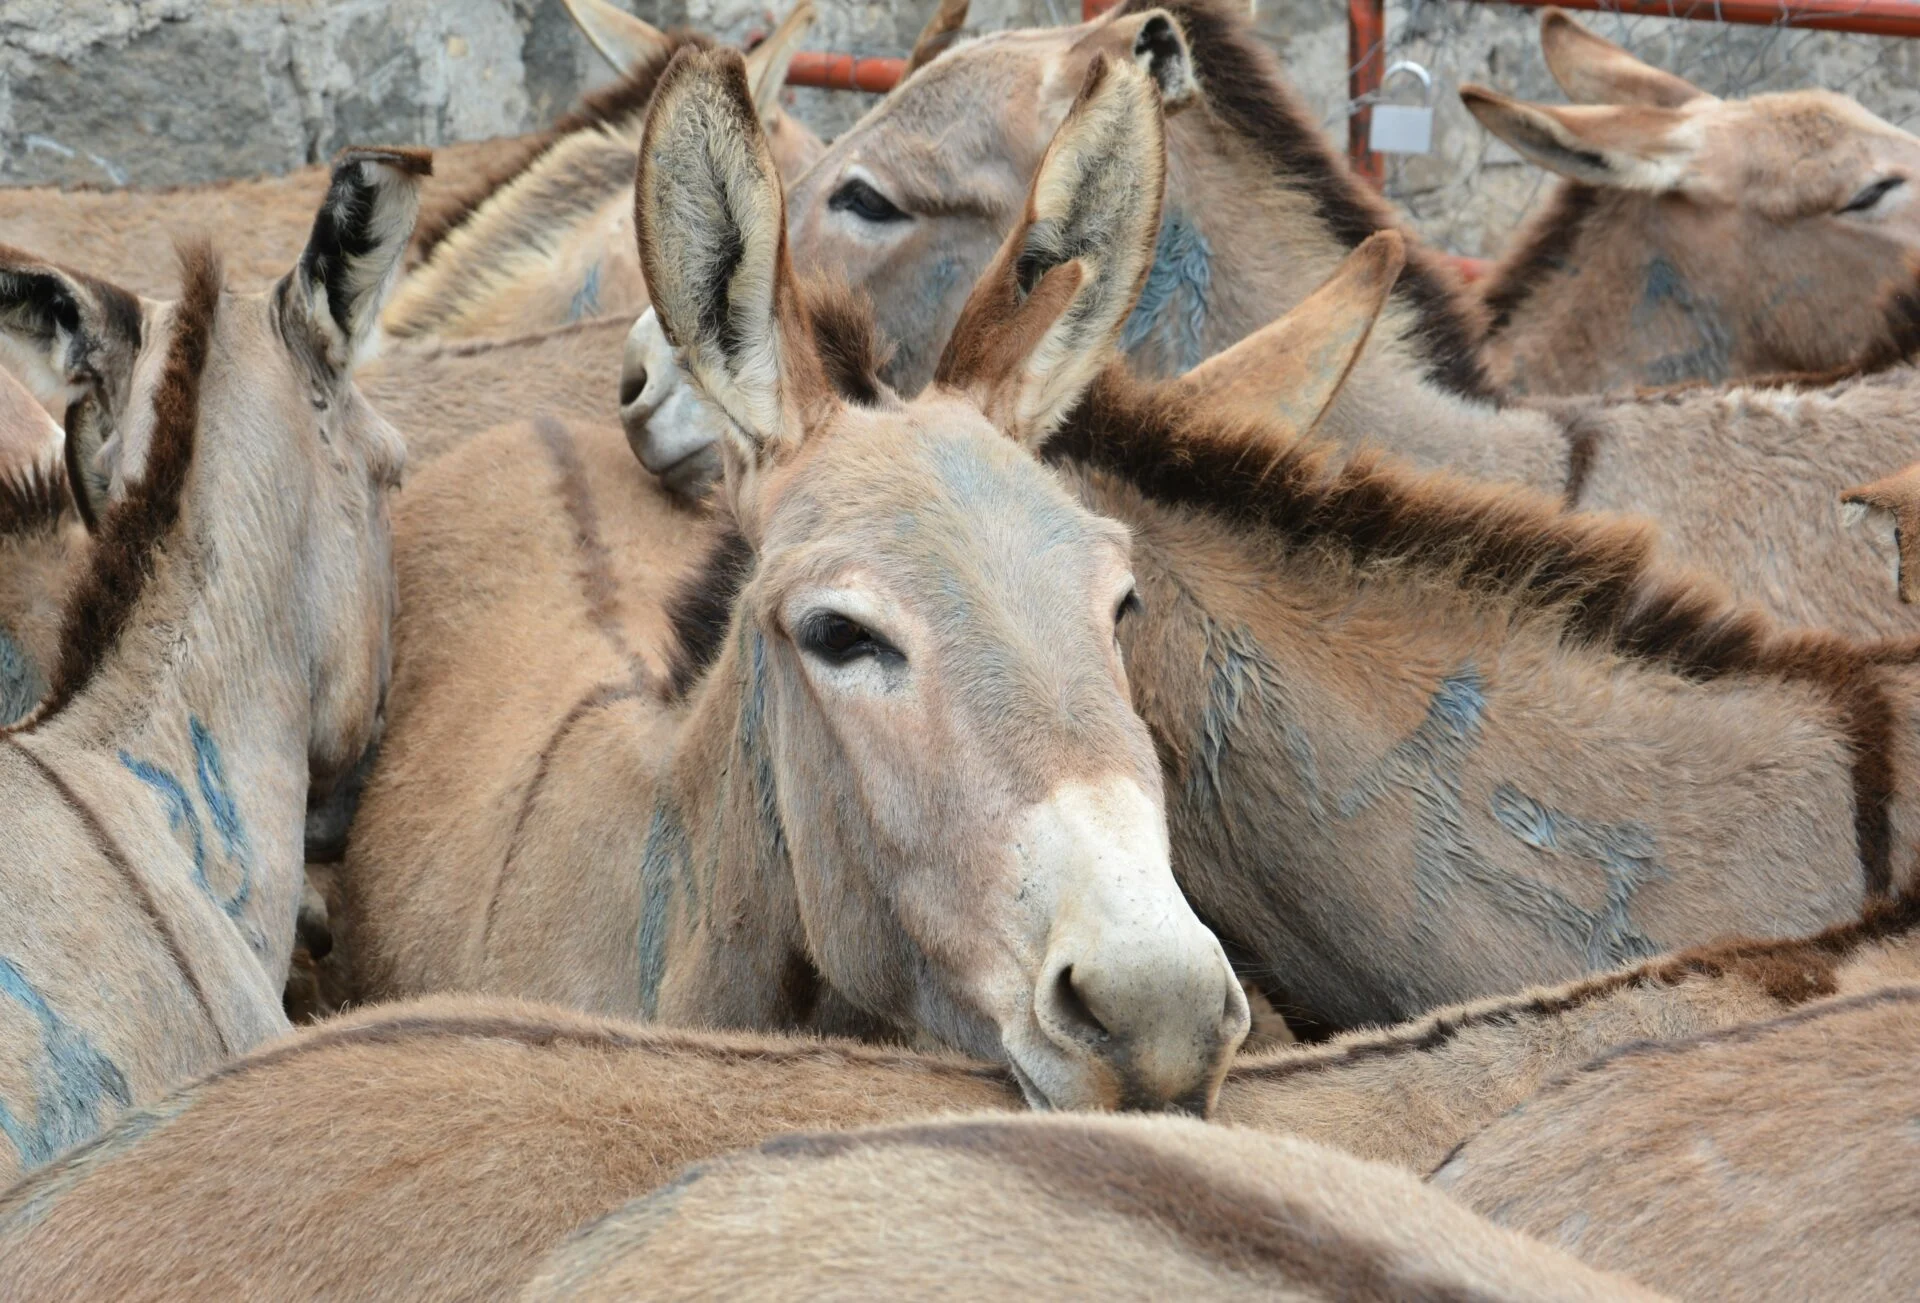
[{"x": 1055, "y": 1208}]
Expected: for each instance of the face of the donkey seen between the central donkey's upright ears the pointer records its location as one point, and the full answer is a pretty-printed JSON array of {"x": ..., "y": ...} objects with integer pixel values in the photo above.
[{"x": 915, "y": 201}]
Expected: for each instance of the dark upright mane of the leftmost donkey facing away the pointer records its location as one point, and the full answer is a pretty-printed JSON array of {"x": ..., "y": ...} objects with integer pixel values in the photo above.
[{"x": 133, "y": 529}]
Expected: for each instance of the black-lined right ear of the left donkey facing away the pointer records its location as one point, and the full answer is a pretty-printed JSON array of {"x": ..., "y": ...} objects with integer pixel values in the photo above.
[{"x": 356, "y": 250}]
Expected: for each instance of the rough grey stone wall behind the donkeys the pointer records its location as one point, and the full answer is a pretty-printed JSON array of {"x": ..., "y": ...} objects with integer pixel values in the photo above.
[{"x": 183, "y": 91}]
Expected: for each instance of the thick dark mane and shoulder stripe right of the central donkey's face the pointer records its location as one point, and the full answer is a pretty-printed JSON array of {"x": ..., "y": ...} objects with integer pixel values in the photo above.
[{"x": 1495, "y": 540}]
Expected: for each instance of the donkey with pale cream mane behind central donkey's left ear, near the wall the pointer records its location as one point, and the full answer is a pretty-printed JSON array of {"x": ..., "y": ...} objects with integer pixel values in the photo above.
[{"x": 554, "y": 241}]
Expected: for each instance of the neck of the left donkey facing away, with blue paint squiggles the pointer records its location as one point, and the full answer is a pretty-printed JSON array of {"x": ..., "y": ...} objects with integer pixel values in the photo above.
[{"x": 203, "y": 703}]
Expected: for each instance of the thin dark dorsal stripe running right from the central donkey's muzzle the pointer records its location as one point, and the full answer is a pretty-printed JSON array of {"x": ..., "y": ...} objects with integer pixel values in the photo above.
[{"x": 1790, "y": 972}]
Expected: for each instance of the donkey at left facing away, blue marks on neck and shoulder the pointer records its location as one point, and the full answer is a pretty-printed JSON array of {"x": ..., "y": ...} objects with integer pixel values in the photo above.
[{"x": 226, "y": 646}]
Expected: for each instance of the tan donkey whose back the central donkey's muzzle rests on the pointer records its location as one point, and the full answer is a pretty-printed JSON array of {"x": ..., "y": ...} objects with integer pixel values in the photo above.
[{"x": 324, "y": 1164}]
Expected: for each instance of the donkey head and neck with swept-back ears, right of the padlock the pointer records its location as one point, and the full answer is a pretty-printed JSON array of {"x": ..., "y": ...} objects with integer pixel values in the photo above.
[{"x": 1698, "y": 239}]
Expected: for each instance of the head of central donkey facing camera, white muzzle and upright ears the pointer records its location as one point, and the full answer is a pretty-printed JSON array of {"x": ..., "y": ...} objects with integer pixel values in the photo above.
[{"x": 971, "y": 809}]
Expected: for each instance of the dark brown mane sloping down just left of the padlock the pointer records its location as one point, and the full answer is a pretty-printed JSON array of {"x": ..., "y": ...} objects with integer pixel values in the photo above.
[{"x": 1245, "y": 91}]
